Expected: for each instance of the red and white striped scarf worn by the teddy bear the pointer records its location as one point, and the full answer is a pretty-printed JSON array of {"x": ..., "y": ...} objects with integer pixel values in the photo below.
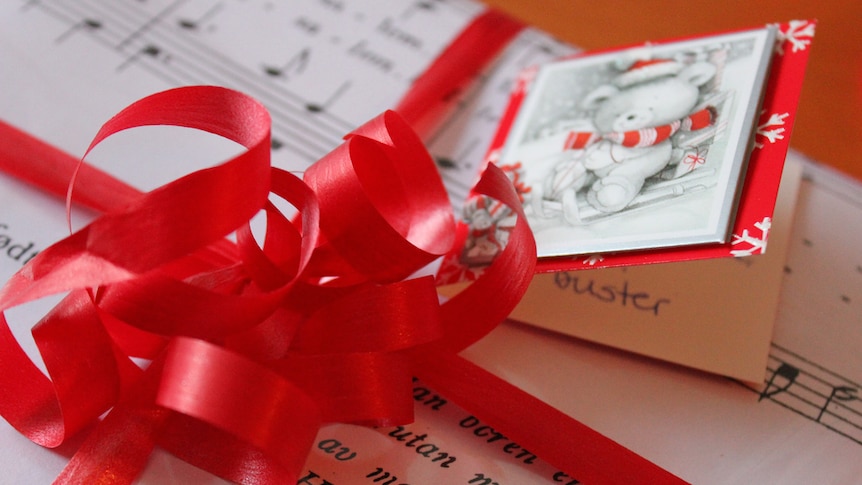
[{"x": 644, "y": 137}]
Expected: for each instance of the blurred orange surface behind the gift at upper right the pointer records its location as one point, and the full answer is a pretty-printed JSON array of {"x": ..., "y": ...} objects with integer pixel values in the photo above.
[{"x": 829, "y": 121}]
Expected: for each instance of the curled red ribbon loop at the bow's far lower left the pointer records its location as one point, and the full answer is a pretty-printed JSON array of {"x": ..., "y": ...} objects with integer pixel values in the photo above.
[{"x": 50, "y": 411}]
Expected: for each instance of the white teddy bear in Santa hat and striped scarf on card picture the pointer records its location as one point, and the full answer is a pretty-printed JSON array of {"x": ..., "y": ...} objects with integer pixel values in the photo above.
[{"x": 634, "y": 118}]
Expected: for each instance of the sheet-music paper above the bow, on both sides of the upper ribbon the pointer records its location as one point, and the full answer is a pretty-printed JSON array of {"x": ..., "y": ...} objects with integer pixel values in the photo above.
[{"x": 321, "y": 68}]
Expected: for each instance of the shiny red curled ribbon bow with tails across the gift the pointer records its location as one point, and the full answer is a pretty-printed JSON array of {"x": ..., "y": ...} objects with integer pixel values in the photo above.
[{"x": 317, "y": 327}]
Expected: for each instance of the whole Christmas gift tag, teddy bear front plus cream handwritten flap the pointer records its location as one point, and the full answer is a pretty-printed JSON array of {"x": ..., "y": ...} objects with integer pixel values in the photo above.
[{"x": 581, "y": 140}]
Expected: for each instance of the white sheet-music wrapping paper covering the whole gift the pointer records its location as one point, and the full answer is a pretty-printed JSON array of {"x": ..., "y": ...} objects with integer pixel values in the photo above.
[{"x": 68, "y": 66}]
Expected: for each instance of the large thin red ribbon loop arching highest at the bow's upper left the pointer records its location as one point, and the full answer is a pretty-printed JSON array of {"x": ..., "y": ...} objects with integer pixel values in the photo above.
[{"x": 242, "y": 183}]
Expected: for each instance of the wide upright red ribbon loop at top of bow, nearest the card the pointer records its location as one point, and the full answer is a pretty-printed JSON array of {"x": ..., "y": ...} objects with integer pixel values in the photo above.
[{"x": 385, "y": 187}]
